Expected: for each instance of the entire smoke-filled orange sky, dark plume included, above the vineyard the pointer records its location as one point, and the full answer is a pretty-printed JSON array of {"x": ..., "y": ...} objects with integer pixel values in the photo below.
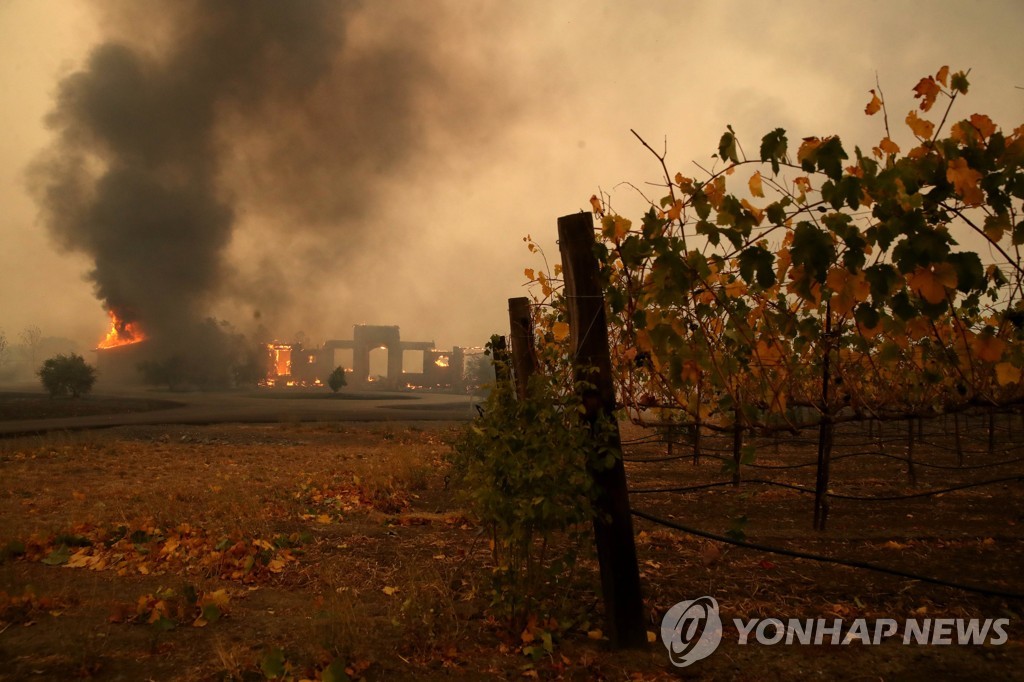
[{"x": 329, "y": 164}]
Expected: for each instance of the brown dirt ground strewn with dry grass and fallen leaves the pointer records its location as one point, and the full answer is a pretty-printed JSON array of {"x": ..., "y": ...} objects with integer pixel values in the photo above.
[{"x": 338, "y": 551}]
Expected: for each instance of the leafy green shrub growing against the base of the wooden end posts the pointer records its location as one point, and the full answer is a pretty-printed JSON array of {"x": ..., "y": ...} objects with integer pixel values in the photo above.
[{"x": 525, "y": 467}]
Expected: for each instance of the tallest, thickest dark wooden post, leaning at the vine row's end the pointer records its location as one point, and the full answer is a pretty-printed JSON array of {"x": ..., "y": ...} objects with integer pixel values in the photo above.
[{"x": 589, "y": 346}]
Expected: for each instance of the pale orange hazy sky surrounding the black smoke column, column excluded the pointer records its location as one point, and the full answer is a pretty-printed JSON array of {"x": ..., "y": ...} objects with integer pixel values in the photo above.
[{"x": 516, "y": 113}]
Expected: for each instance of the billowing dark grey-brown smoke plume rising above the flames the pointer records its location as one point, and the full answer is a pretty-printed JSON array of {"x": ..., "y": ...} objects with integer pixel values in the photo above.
[{"x": 200, "y": 112}]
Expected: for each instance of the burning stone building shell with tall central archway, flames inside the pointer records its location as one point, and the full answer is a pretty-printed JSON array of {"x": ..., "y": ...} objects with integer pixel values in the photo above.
[{"x": 291, "y": 364}]
